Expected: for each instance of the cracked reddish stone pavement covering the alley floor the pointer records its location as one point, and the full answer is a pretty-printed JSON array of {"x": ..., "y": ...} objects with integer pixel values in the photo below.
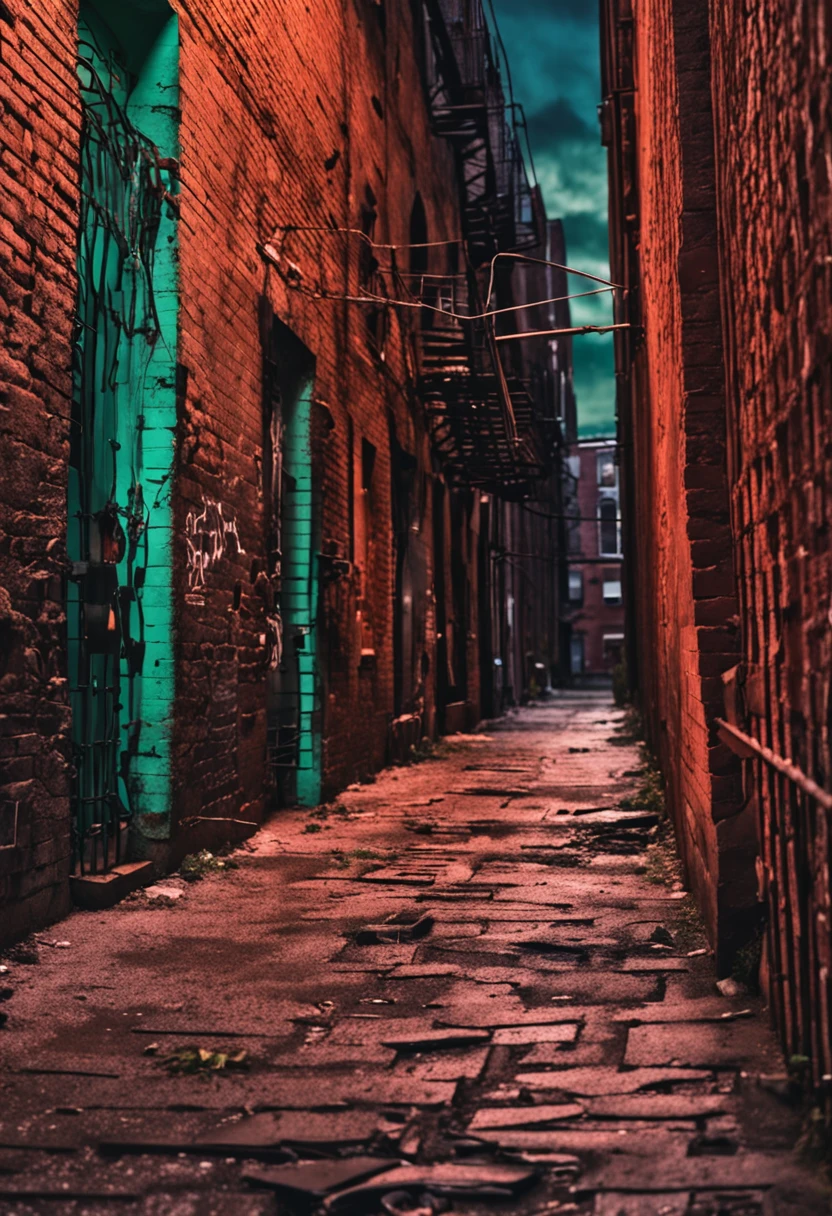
[{"x": 462, "y": 984}]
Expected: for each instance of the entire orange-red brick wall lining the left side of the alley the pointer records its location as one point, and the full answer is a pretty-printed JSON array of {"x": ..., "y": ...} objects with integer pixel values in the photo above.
[{"x": 291, "y": 115}]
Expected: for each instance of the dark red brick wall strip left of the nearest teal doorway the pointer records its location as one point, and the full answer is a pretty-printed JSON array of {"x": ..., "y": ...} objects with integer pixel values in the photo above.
[{"x": 40, "y": 114}]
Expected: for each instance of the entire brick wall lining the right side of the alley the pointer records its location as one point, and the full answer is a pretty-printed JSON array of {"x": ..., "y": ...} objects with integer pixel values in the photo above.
[{"x": 727, "y": 396}]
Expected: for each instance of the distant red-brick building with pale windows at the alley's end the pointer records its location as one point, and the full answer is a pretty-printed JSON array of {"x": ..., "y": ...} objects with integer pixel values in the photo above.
[{"x": 594, "y": 609}]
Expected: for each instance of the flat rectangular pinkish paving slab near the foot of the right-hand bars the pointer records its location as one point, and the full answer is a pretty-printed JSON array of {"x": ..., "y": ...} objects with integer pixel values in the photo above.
[{"x": 688, "y": 1044}]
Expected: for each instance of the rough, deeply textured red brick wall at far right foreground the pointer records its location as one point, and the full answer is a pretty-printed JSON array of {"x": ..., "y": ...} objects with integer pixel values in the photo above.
[{"x": 773, "y": 100}]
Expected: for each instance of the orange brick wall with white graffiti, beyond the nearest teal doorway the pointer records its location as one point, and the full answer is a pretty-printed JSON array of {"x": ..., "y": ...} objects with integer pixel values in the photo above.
[{"x": 289, "y": 116}]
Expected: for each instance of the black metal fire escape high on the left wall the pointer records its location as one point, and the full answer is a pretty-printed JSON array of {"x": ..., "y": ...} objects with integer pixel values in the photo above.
[{"x": 482, "y": 418}]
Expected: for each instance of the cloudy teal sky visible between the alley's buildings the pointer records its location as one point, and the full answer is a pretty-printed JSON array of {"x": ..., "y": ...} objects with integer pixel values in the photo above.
[{"x": 553, "y": 48}]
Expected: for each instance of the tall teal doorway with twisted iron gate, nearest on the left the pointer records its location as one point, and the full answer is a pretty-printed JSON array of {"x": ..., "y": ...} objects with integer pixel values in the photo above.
[{"x": 120, "y": 612}]
